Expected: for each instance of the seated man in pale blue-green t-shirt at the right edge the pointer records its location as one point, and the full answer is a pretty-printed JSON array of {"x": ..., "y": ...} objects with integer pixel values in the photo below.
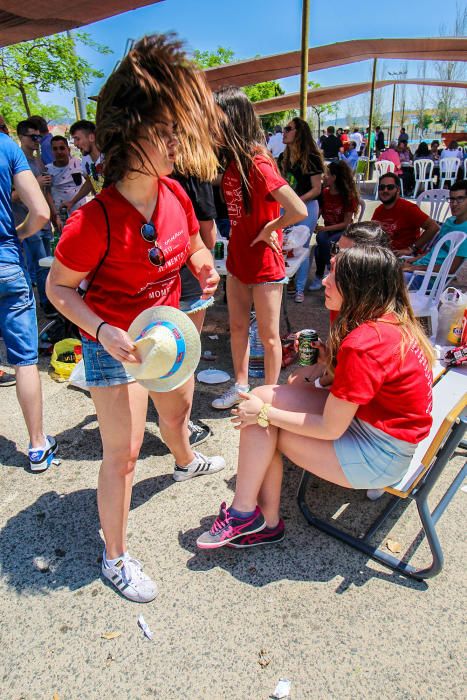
[{"x": 457, "y": 222}]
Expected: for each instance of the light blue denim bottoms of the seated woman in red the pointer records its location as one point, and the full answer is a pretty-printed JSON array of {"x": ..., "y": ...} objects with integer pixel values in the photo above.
[{"x": 371, "y": 459}]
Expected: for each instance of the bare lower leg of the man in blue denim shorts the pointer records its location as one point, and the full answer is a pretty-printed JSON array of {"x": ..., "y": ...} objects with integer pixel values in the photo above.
[{"x": 29, "y": 393}]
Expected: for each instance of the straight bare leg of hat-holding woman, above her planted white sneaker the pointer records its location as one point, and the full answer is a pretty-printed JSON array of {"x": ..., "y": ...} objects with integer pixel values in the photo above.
[{"x": 121, "y": 412}]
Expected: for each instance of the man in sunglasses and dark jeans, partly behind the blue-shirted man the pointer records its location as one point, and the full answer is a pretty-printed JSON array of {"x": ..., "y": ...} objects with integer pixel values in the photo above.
[{"x": 38, "y": 246}]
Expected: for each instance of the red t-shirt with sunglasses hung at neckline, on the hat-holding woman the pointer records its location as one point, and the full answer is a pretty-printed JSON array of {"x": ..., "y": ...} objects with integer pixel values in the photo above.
[{"x": 127, "y": 283}]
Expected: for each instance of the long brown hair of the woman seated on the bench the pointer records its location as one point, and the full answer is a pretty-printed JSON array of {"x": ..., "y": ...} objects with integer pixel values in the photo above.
[{"x": 371, "y": 283}]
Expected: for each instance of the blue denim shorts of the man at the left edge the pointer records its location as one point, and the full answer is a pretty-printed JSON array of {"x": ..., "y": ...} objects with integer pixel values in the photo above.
[{"x": 18, "y": 321}]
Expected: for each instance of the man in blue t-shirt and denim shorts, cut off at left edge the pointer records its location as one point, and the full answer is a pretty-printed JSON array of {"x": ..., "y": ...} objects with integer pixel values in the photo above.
[{"x": 18, "y": 322}]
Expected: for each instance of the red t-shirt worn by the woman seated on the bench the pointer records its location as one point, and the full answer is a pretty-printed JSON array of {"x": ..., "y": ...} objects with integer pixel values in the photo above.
[{"x": 393, "y": 393}]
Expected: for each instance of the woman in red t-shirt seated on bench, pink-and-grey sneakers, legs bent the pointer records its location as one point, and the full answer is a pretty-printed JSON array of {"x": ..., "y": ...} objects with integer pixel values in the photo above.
[{"x": 362, "y": 434}]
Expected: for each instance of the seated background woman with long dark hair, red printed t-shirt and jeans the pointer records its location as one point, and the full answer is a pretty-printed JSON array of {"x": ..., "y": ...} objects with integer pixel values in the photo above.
[{"x": 339, "y": 202}]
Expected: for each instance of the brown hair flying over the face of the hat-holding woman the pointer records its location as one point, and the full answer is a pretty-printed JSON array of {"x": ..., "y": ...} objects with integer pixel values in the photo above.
[{"x": 156, "y": 79}]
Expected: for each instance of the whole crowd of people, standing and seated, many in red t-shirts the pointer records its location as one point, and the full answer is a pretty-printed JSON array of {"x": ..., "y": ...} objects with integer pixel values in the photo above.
[{"x": 135, "y": 220}]
